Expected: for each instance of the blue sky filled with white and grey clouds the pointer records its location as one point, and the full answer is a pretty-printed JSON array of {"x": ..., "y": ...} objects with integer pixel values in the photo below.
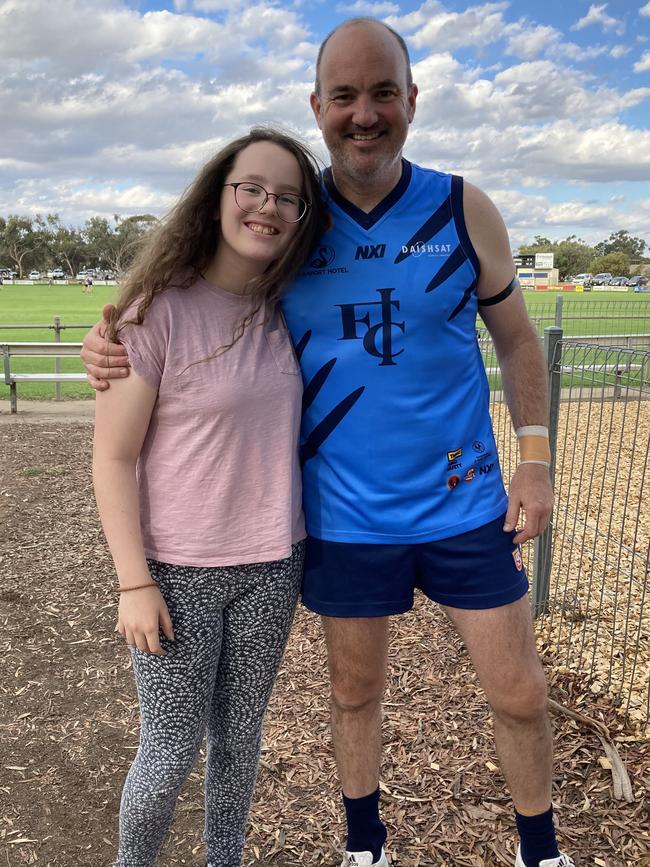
[{"x": 110, "y": 106}]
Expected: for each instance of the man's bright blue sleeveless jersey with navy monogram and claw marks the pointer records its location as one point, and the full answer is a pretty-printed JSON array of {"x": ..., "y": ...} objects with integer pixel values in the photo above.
[{"x": 397, "y": 442}]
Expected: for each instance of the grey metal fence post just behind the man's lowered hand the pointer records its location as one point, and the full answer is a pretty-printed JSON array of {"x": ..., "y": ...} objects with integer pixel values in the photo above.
[{"x": 543, "y": 546}]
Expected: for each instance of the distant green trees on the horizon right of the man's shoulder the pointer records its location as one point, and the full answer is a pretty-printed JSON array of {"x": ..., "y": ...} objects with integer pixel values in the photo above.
[{"x": 573, "y": 256}]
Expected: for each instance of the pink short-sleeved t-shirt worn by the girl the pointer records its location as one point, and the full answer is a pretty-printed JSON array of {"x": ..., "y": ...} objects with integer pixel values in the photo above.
[{"x": 218, "y": 474}]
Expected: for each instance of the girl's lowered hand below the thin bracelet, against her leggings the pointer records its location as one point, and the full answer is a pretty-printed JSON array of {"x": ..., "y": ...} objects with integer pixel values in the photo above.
[{"x": 142, "y": 614}]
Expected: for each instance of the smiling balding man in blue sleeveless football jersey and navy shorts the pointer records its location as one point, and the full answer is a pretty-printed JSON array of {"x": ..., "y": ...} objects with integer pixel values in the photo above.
[{"x": 401, "y": 481}]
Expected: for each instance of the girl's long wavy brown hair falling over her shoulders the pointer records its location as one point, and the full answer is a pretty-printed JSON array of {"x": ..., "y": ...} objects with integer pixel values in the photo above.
[{"x": 185, "y": 242}]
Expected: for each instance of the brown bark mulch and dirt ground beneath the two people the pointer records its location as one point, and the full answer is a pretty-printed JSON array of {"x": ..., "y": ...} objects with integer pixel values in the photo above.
[{"x": 69, "y": 723}]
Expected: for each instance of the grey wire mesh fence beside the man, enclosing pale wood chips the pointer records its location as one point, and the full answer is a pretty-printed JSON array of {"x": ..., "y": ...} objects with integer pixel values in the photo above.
[{"x": 591, "y": 570}]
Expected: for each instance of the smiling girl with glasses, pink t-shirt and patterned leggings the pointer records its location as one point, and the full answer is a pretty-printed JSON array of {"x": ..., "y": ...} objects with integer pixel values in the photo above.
[{"x": 198, "y": 484}]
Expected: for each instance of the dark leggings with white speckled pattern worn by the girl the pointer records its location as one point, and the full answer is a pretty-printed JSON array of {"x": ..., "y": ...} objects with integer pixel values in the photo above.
[{"x": 231, "y": 626}]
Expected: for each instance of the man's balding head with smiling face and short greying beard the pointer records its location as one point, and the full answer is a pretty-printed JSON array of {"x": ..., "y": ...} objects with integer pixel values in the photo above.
[{"x": 364, "y": 105}]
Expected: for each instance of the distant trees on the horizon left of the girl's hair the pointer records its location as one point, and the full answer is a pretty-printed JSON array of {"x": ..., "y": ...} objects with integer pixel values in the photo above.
[{"x": 40, "y": 243}]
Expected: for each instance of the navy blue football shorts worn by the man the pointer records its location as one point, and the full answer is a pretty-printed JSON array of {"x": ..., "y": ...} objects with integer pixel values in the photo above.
[{"x": 479, "y": 569}]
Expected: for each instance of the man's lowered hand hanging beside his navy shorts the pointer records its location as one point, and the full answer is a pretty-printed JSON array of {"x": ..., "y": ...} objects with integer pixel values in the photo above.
[{"x": 530, "y": 492}]
